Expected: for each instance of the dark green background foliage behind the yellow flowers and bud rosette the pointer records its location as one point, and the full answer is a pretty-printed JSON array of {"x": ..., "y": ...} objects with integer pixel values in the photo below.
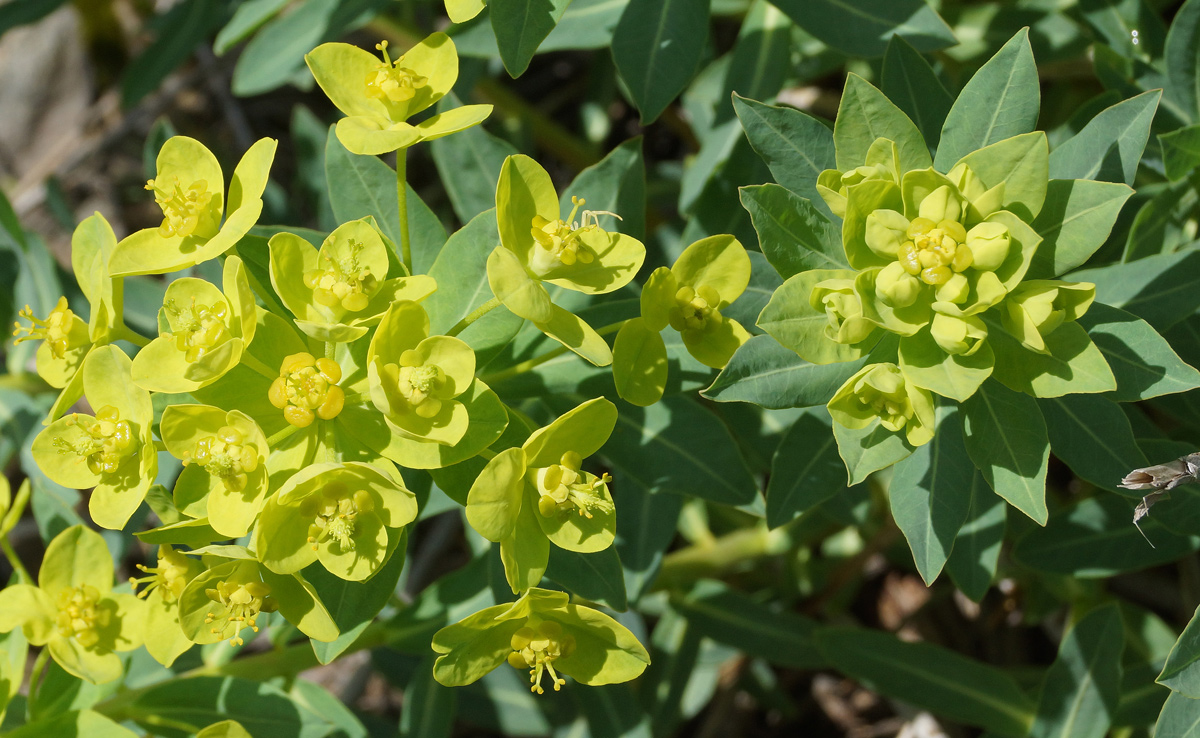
[{"x": 773, "y": 598}]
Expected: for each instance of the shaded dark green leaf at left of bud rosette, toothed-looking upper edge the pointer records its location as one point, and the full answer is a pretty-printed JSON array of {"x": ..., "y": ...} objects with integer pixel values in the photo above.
[{"x": 793, "y": 233}]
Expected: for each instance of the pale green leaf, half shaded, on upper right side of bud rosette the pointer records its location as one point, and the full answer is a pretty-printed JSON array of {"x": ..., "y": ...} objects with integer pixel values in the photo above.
[{"x": 1075, "y": 223}]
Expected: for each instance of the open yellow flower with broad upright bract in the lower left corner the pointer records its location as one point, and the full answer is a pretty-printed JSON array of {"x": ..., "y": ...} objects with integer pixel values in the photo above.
[{"x": 74, "y": 611}]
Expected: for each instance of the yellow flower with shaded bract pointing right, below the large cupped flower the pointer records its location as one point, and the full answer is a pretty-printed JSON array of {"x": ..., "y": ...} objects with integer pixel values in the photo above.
[{"x": 235, "y": 593}]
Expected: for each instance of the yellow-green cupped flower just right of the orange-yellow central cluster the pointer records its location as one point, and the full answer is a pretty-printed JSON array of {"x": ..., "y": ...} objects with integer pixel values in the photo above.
[{"x": 416, "y": 379}]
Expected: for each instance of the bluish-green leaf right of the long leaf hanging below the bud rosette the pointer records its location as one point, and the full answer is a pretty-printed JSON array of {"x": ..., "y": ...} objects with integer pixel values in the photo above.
[{"x": 973, "y": 563}]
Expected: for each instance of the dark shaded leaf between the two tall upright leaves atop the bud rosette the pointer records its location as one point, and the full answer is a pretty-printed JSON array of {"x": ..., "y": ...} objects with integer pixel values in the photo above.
[{"x": 910, "y": 82}]
